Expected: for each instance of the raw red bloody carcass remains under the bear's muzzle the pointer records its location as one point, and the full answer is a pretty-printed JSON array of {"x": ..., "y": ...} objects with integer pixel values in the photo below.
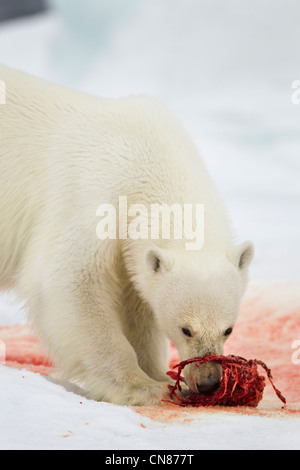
[{"x": 241, "y": 384}]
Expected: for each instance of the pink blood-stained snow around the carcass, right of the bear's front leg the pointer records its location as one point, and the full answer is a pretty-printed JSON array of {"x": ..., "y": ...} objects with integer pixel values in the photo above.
[{"x": 269, "y": 323}]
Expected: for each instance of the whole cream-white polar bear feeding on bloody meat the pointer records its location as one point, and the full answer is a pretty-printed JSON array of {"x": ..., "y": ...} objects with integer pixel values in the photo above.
[{"x": 106, "y": 309}]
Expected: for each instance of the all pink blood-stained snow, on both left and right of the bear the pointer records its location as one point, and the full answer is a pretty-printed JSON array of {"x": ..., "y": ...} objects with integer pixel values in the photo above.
[{"x": 269, "y": 323}]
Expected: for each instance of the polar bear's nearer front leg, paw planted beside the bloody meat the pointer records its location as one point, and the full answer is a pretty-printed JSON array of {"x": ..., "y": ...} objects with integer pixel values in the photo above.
[{"x": 81, "y": 328}]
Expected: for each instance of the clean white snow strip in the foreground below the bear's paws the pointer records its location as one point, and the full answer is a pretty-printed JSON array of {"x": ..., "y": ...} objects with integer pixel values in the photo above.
[{"x": 41, "y": 415}]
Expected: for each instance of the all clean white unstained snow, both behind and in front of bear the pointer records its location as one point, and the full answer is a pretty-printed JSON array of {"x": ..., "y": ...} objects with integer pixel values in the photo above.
[{"x": 226, "y": 69}]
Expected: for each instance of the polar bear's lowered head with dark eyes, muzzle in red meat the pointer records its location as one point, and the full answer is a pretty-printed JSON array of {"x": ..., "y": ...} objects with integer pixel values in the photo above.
[{"x": 196, "y": 300}]
